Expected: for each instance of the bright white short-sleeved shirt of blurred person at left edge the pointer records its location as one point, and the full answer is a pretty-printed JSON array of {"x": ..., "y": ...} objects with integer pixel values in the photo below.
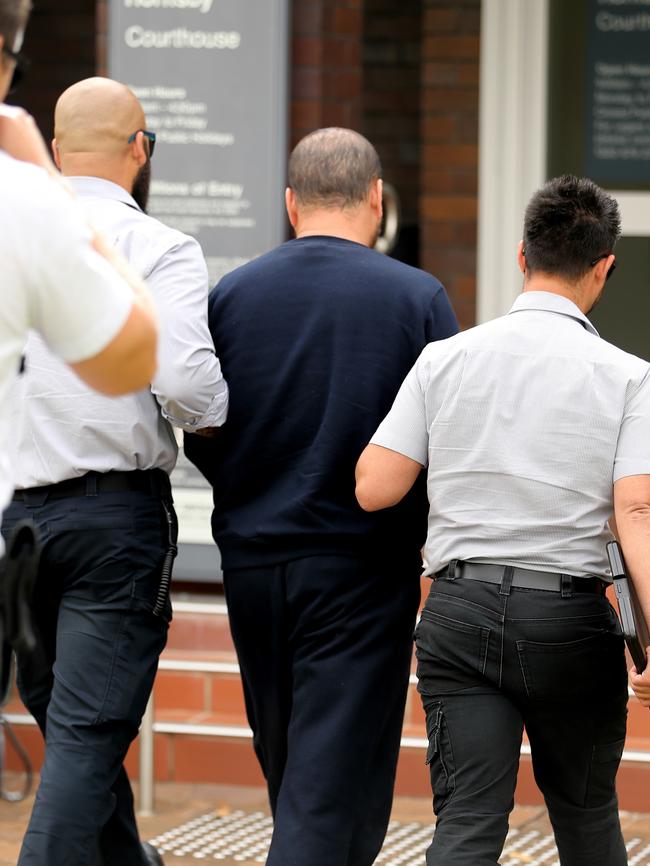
[{"x": 53, "y": 281}]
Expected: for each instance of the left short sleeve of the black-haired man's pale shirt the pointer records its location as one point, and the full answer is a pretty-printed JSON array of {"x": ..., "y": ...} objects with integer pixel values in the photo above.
[{"x": 404, "y": 429}]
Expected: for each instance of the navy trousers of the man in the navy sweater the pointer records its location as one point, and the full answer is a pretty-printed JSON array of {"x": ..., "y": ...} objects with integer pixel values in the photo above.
[{"x": 324, "y": 644}]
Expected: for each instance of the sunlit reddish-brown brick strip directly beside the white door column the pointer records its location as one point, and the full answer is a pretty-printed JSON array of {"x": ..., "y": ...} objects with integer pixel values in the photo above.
[{"x": 449, "y": 129}]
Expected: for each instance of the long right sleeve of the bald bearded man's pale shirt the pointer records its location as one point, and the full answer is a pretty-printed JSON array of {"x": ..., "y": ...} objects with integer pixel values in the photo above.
[{"x": 189, "y": 384}]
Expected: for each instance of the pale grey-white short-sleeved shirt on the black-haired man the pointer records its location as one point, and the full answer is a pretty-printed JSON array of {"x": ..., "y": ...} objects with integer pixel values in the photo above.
[{"x": 524, "y": 424}]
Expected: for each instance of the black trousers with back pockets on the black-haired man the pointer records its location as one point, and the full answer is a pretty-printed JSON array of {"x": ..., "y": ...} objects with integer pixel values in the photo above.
[{"x": 493, "y": 660}]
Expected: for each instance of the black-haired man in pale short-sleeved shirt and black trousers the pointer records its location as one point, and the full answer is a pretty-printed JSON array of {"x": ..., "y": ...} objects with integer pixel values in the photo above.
[{"x": 534, "y": 432}]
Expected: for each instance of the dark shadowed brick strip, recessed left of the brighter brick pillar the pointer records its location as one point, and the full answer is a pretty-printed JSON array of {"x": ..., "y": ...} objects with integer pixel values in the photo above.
[{"x": 391, "y": 104}]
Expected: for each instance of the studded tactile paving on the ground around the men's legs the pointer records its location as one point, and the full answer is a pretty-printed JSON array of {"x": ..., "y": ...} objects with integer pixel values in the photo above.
[{"x": 245, "y": 837}]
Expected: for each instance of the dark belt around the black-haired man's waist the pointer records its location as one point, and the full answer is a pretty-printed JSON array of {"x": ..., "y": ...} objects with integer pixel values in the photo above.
[{"x": 523, "y": 578}]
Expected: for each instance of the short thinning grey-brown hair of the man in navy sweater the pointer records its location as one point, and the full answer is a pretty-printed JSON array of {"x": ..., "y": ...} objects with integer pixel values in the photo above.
[{"x": 333, "y": 168}]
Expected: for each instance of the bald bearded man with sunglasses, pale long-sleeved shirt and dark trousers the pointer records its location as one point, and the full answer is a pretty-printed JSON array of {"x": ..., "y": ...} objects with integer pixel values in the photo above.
[{"x": 94, "y": 476}]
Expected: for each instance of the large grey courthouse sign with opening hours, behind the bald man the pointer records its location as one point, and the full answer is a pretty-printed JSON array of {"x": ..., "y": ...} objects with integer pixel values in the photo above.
[{"x": 212, "y": 78}]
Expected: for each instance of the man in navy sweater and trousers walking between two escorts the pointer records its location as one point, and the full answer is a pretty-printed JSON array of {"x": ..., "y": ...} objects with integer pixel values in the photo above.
[{"x": 315, "y": 339}]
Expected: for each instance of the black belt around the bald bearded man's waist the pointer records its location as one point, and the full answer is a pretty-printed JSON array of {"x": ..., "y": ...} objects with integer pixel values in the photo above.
[{"x": 154, "y": 481}]
